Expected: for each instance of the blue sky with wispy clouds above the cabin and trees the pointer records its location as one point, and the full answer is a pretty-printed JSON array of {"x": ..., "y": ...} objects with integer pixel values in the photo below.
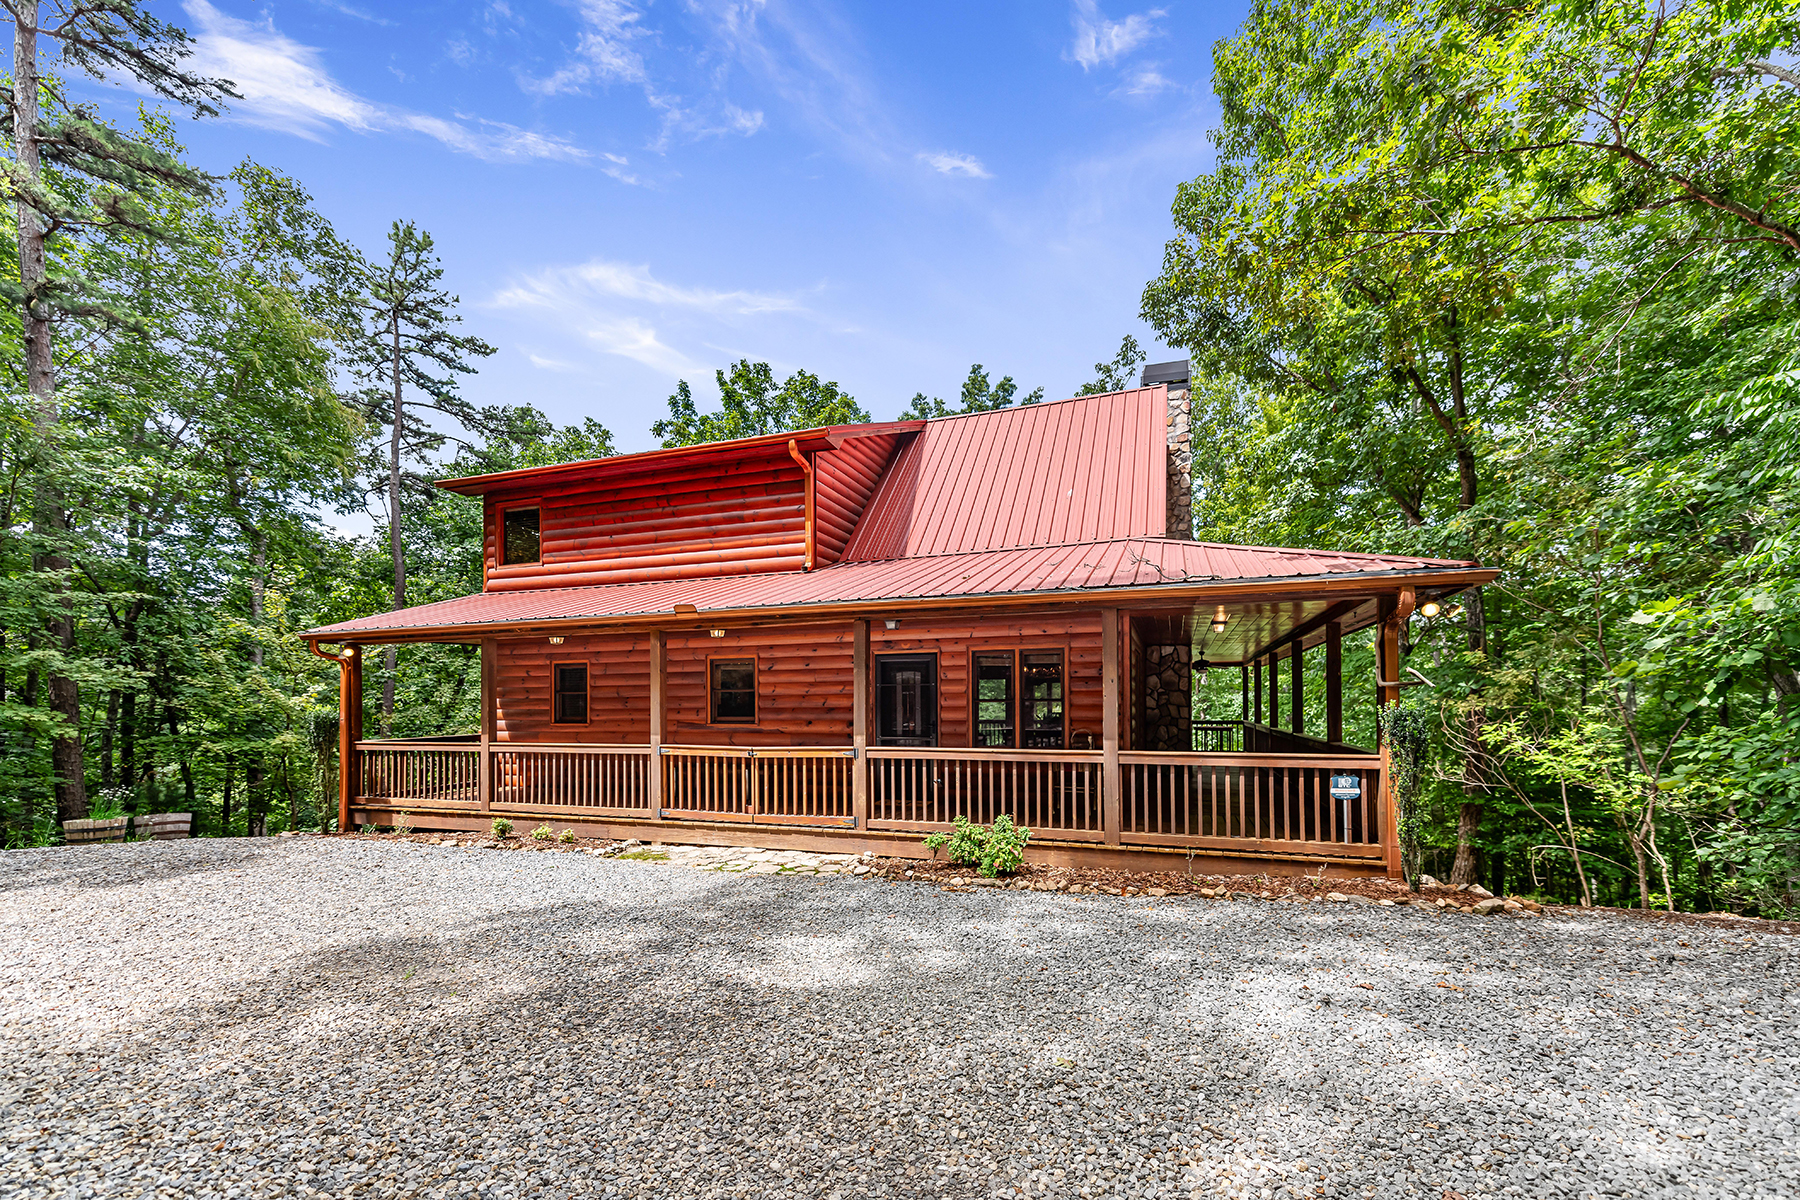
[{"x": 634, "y": 192}]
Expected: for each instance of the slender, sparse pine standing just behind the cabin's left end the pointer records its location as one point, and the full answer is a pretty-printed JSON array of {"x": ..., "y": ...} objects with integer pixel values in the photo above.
[{"x": 408, "y": 341}]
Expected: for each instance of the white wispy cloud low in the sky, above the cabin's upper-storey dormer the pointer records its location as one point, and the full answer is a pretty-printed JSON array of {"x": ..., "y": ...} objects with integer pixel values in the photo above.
[{"x": 606, "y": 303}]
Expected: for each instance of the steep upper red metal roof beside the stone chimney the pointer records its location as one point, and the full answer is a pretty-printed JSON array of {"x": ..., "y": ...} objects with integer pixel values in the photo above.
[{"x": 1075, "y": 470}]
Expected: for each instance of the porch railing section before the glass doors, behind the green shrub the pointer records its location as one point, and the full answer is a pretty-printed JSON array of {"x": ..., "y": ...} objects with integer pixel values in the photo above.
[{"x": 1050, "y": 793}]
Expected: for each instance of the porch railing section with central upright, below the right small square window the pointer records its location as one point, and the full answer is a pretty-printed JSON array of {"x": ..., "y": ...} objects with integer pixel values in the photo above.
[{"x": 787, "y": 785}]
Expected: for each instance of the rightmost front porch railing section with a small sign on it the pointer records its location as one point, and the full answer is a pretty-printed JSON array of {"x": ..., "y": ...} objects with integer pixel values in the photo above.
[{"x": 1266, "y": 801}]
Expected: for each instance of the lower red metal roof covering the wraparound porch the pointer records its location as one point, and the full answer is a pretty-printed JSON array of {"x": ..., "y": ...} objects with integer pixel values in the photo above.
[{"x": 1077, "y": 568}]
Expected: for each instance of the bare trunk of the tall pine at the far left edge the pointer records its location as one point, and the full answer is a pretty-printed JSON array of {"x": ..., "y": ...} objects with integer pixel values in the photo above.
[{"x": 49, "y": 523}]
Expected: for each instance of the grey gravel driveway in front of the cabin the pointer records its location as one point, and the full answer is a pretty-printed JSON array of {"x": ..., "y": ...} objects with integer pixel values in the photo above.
[{"x": 327, "y": 1017}]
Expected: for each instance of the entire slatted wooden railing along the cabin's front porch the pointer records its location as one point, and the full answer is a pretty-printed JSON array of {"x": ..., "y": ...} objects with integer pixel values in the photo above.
[{"x": 1248, "y": 803}]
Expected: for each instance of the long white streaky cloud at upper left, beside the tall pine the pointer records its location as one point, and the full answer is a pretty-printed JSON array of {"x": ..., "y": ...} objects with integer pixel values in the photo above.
[{"x": 287, "y": 87}]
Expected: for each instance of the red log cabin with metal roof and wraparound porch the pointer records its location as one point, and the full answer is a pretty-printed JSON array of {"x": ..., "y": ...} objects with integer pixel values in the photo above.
[{"x": 849, "y": 638}]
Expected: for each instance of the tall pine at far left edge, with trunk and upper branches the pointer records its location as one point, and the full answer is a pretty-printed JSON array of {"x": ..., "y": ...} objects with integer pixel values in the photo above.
[{"x": 73, "y": 177}]
